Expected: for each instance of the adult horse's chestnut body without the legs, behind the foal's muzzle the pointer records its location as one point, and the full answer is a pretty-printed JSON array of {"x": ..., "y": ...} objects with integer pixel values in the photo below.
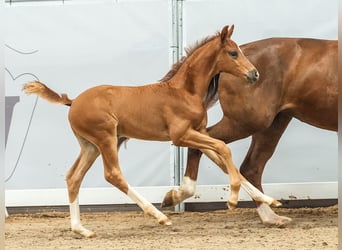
[{"x": 297, "y": 76}]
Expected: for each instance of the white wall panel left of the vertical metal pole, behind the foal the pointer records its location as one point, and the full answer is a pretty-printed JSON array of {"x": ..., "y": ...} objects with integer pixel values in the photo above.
[{"x": 71, "y": 48}]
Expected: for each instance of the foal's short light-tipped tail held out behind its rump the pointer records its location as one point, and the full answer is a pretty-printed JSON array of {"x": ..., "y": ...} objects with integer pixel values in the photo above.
[{"x": 46, "y": 93}]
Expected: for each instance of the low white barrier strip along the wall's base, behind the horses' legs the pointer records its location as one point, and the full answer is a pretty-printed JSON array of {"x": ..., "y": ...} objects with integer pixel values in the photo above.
[{"x": 204, "y": 193}]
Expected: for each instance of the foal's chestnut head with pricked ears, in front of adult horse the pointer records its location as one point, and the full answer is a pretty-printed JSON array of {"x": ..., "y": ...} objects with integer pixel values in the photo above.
[{"x": 232, "y": 60}]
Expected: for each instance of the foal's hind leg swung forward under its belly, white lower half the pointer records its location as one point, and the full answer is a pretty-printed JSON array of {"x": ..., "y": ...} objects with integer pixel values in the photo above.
[{"x": 112, "y": 171}]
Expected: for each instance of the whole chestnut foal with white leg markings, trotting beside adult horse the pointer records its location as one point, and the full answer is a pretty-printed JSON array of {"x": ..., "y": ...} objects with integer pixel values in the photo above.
[{"x": 174, "y": 109}]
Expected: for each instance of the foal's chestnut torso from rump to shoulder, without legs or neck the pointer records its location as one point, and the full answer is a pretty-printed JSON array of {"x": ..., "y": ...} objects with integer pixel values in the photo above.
[{"x": 141, "y": 112}]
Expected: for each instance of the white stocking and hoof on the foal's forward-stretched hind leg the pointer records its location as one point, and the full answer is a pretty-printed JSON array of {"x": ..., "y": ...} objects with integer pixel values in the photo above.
[{"x": 147, "y": 207}]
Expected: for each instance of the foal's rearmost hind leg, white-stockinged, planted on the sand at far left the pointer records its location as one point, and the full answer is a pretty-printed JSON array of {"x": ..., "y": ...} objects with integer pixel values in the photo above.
[{"x": 74, "y": 177}]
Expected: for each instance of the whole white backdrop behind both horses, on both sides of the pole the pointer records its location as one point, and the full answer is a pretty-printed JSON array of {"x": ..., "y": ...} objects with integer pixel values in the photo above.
[{"x": 79, "y": 44}]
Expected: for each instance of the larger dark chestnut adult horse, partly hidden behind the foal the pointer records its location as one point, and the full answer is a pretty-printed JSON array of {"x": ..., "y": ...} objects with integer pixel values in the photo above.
[{"x": 298, "y": 79}]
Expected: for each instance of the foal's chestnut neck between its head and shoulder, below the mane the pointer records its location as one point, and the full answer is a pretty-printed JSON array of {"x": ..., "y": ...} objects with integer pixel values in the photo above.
[{"x": 197, "y": 71}]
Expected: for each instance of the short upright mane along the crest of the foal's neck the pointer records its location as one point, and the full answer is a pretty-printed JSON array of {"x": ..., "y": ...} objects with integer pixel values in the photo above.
[{"x": 189, "y": 50}]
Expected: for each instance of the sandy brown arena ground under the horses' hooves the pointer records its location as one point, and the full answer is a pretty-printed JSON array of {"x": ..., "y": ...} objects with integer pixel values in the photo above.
[{"x": 312, "y": 228}]
